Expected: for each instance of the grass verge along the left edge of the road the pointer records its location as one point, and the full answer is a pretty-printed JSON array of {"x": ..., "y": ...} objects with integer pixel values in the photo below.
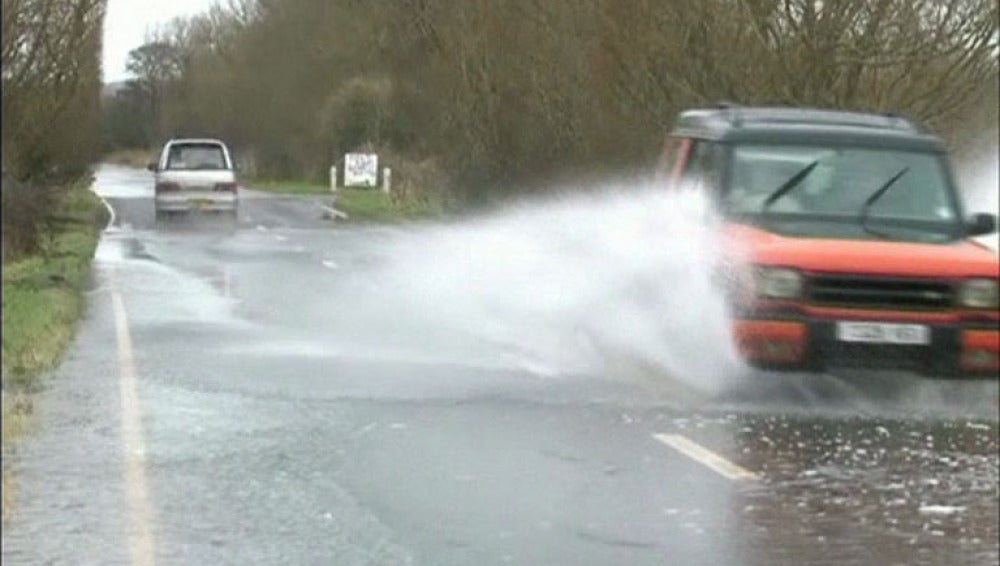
[{"x": 43, "y": 299}]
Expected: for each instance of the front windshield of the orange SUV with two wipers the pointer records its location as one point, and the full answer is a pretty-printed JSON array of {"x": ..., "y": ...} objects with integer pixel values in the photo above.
[{"x": 830, "y": 200}]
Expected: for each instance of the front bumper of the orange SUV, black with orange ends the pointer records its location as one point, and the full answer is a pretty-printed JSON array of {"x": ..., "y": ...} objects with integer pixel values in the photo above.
[{"x": 812, "y": 345}]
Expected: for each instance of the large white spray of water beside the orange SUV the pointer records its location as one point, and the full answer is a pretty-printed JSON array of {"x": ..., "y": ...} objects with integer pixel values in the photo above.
[{"x": 570, "y": 285}]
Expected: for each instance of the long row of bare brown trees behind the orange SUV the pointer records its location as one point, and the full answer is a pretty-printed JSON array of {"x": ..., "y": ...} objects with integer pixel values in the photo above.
[{"x": 507, "y": 93}]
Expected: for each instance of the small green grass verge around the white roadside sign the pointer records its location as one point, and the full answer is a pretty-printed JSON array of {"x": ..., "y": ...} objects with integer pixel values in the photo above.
[{"x": 370, "y": 205}]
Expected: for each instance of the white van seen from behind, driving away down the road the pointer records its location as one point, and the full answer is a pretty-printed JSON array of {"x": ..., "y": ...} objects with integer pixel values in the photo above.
[{"x": 195, "y": 174}]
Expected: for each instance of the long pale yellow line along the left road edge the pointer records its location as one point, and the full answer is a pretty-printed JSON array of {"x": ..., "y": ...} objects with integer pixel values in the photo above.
[{"x": 141, "y": 540}]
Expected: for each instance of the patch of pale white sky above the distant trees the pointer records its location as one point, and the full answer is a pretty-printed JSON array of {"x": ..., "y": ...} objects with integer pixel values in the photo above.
[{"x": 127, "y": 22}]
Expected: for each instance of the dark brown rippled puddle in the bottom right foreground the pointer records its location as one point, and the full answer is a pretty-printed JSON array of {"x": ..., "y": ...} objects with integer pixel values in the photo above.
[{"x": 903, "y": 487}]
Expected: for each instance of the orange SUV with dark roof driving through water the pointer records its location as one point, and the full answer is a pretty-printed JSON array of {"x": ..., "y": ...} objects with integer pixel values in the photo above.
[{"x": 862, "y": 253}]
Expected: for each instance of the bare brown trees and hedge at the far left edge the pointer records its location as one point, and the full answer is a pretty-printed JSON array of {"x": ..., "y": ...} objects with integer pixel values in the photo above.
[{"x": 51, "y": 88}]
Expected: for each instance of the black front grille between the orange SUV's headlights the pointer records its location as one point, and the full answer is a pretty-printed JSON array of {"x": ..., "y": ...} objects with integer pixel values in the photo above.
[{"x": 880, "y": 293}]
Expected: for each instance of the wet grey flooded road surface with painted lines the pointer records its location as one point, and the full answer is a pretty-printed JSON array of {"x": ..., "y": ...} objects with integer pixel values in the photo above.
[{"x": 228, "y": 401}]
